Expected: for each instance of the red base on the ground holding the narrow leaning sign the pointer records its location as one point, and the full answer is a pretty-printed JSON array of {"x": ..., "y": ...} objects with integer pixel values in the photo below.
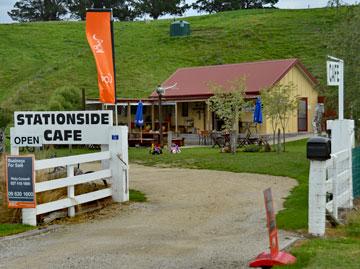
[{"x": 266, "y": 260}]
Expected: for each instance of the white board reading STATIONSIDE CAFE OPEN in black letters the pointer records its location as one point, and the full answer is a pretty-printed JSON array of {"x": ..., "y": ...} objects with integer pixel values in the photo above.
[{"x": 75, "y": 127}]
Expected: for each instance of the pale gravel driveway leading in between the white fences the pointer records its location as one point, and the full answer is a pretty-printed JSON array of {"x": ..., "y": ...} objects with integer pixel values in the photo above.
[{"x": 194, "y": 219}]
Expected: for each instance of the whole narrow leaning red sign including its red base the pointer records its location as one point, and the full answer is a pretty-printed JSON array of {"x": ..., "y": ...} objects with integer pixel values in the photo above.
[{"x": 275, "y": 257}]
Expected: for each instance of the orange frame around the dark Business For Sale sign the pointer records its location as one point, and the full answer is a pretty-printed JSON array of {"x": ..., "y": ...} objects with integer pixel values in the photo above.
[{"x": 20, "y": 204}]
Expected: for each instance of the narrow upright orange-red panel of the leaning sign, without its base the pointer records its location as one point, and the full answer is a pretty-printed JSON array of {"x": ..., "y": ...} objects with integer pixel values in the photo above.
[{"x": 271, "y": 223}]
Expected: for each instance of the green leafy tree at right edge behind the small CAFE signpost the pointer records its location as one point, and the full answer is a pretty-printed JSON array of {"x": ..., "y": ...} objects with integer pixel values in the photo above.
[{"x": 344, "y": 43}]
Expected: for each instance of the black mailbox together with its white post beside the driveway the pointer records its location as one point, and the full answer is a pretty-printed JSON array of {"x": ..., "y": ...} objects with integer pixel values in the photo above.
[{"x": 318, "y": 152}]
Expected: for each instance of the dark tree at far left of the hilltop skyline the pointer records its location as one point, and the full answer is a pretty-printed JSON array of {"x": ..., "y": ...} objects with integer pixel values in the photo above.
[{"x": 38, "y": 10}]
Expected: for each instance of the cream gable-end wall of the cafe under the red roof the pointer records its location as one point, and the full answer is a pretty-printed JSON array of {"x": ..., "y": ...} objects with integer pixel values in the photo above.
[{"x": 305, "y": 89}]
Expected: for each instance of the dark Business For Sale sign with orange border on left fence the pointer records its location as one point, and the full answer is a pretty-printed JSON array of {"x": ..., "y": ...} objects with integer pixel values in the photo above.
[{"x": 20, "y": 181}]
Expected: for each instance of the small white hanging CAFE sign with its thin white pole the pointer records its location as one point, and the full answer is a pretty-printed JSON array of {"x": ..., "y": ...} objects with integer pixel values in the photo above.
[{"x": 335, "y": 77}]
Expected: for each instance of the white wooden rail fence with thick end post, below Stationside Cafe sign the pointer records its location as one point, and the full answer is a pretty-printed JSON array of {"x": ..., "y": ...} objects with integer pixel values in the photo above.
[{"x": 114, "y": 160}]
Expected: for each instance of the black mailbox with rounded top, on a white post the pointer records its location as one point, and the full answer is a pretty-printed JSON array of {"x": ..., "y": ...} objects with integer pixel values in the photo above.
[{"x": 318, "y": 148}]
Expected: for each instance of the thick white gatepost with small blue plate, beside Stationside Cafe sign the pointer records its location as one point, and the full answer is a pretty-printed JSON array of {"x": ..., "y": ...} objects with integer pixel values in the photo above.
[{"x": 119, "y": 163}]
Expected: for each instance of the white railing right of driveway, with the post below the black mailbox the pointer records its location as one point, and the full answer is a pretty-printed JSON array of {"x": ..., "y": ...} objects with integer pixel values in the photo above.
[{"x": 331, "y": 178}]
